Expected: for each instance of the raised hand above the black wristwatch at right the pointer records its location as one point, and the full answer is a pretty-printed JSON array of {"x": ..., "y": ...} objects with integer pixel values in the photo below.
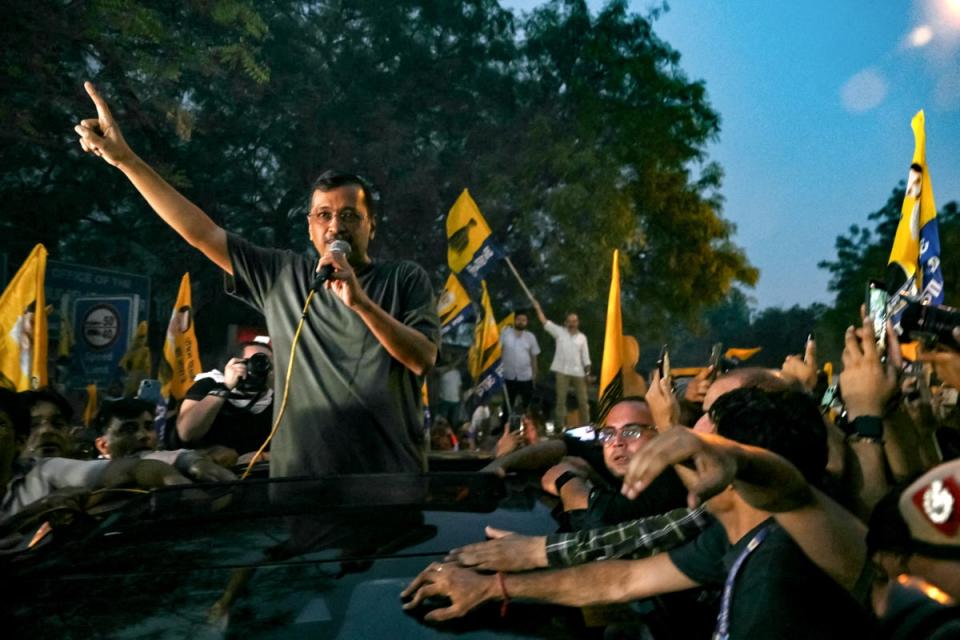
[{"x": 866, "y": 383}]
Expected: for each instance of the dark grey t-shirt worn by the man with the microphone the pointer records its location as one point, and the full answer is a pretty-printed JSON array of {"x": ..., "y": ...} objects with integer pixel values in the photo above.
[{"x": 352, "y": 407}]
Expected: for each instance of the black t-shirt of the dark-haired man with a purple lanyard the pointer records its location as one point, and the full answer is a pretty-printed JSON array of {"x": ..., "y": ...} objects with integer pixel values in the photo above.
[{"x": 778, "y": 592}]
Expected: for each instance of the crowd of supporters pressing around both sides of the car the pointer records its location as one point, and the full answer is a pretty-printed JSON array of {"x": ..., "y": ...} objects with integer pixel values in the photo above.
[{"x": 746, "y": 503}]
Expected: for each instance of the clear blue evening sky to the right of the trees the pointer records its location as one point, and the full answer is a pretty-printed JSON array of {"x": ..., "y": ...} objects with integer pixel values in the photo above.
[{"x": 815, "y": 100}]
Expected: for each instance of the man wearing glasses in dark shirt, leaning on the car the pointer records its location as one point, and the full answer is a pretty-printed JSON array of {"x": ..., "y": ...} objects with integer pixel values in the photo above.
[{"x": 590, "y": 499}]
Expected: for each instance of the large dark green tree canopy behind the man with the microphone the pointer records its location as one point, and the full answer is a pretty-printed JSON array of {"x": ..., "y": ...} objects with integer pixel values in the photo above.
[{"x": 576, "y": 133}]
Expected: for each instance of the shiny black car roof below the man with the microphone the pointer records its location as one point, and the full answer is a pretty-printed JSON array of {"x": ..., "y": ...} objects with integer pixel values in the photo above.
[{"x": 282, "y": 558}]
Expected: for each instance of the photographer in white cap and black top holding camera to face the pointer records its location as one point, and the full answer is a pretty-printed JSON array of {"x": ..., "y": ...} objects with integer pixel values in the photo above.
[{"x": 232, "y": 409}]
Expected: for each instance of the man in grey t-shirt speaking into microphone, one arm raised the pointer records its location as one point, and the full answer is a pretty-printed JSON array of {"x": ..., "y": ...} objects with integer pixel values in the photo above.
[{"x": 371, "y": 329}]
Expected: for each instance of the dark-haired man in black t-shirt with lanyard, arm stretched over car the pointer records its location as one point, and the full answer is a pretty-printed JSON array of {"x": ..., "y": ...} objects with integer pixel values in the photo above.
[{"x": 779, "y": 549}]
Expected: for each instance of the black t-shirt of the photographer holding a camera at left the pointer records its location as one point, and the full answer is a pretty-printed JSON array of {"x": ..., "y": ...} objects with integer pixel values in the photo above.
[{"x": 243, "y": 422}]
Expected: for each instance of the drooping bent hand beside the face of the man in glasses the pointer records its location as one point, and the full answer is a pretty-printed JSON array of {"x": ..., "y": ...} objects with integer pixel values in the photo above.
[{"x": 714, "y": 464}]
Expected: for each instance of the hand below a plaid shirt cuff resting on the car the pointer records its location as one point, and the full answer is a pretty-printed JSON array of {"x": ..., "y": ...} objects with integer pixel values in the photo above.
[{"x": 505, "y": 551}]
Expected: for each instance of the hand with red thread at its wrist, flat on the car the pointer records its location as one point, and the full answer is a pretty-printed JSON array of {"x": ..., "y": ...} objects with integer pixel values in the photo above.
[{"x": 466, "y": 589}]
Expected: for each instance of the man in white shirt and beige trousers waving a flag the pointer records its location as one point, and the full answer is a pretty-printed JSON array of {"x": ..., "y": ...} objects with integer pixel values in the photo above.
[{"x": 571, "y": 364}]
